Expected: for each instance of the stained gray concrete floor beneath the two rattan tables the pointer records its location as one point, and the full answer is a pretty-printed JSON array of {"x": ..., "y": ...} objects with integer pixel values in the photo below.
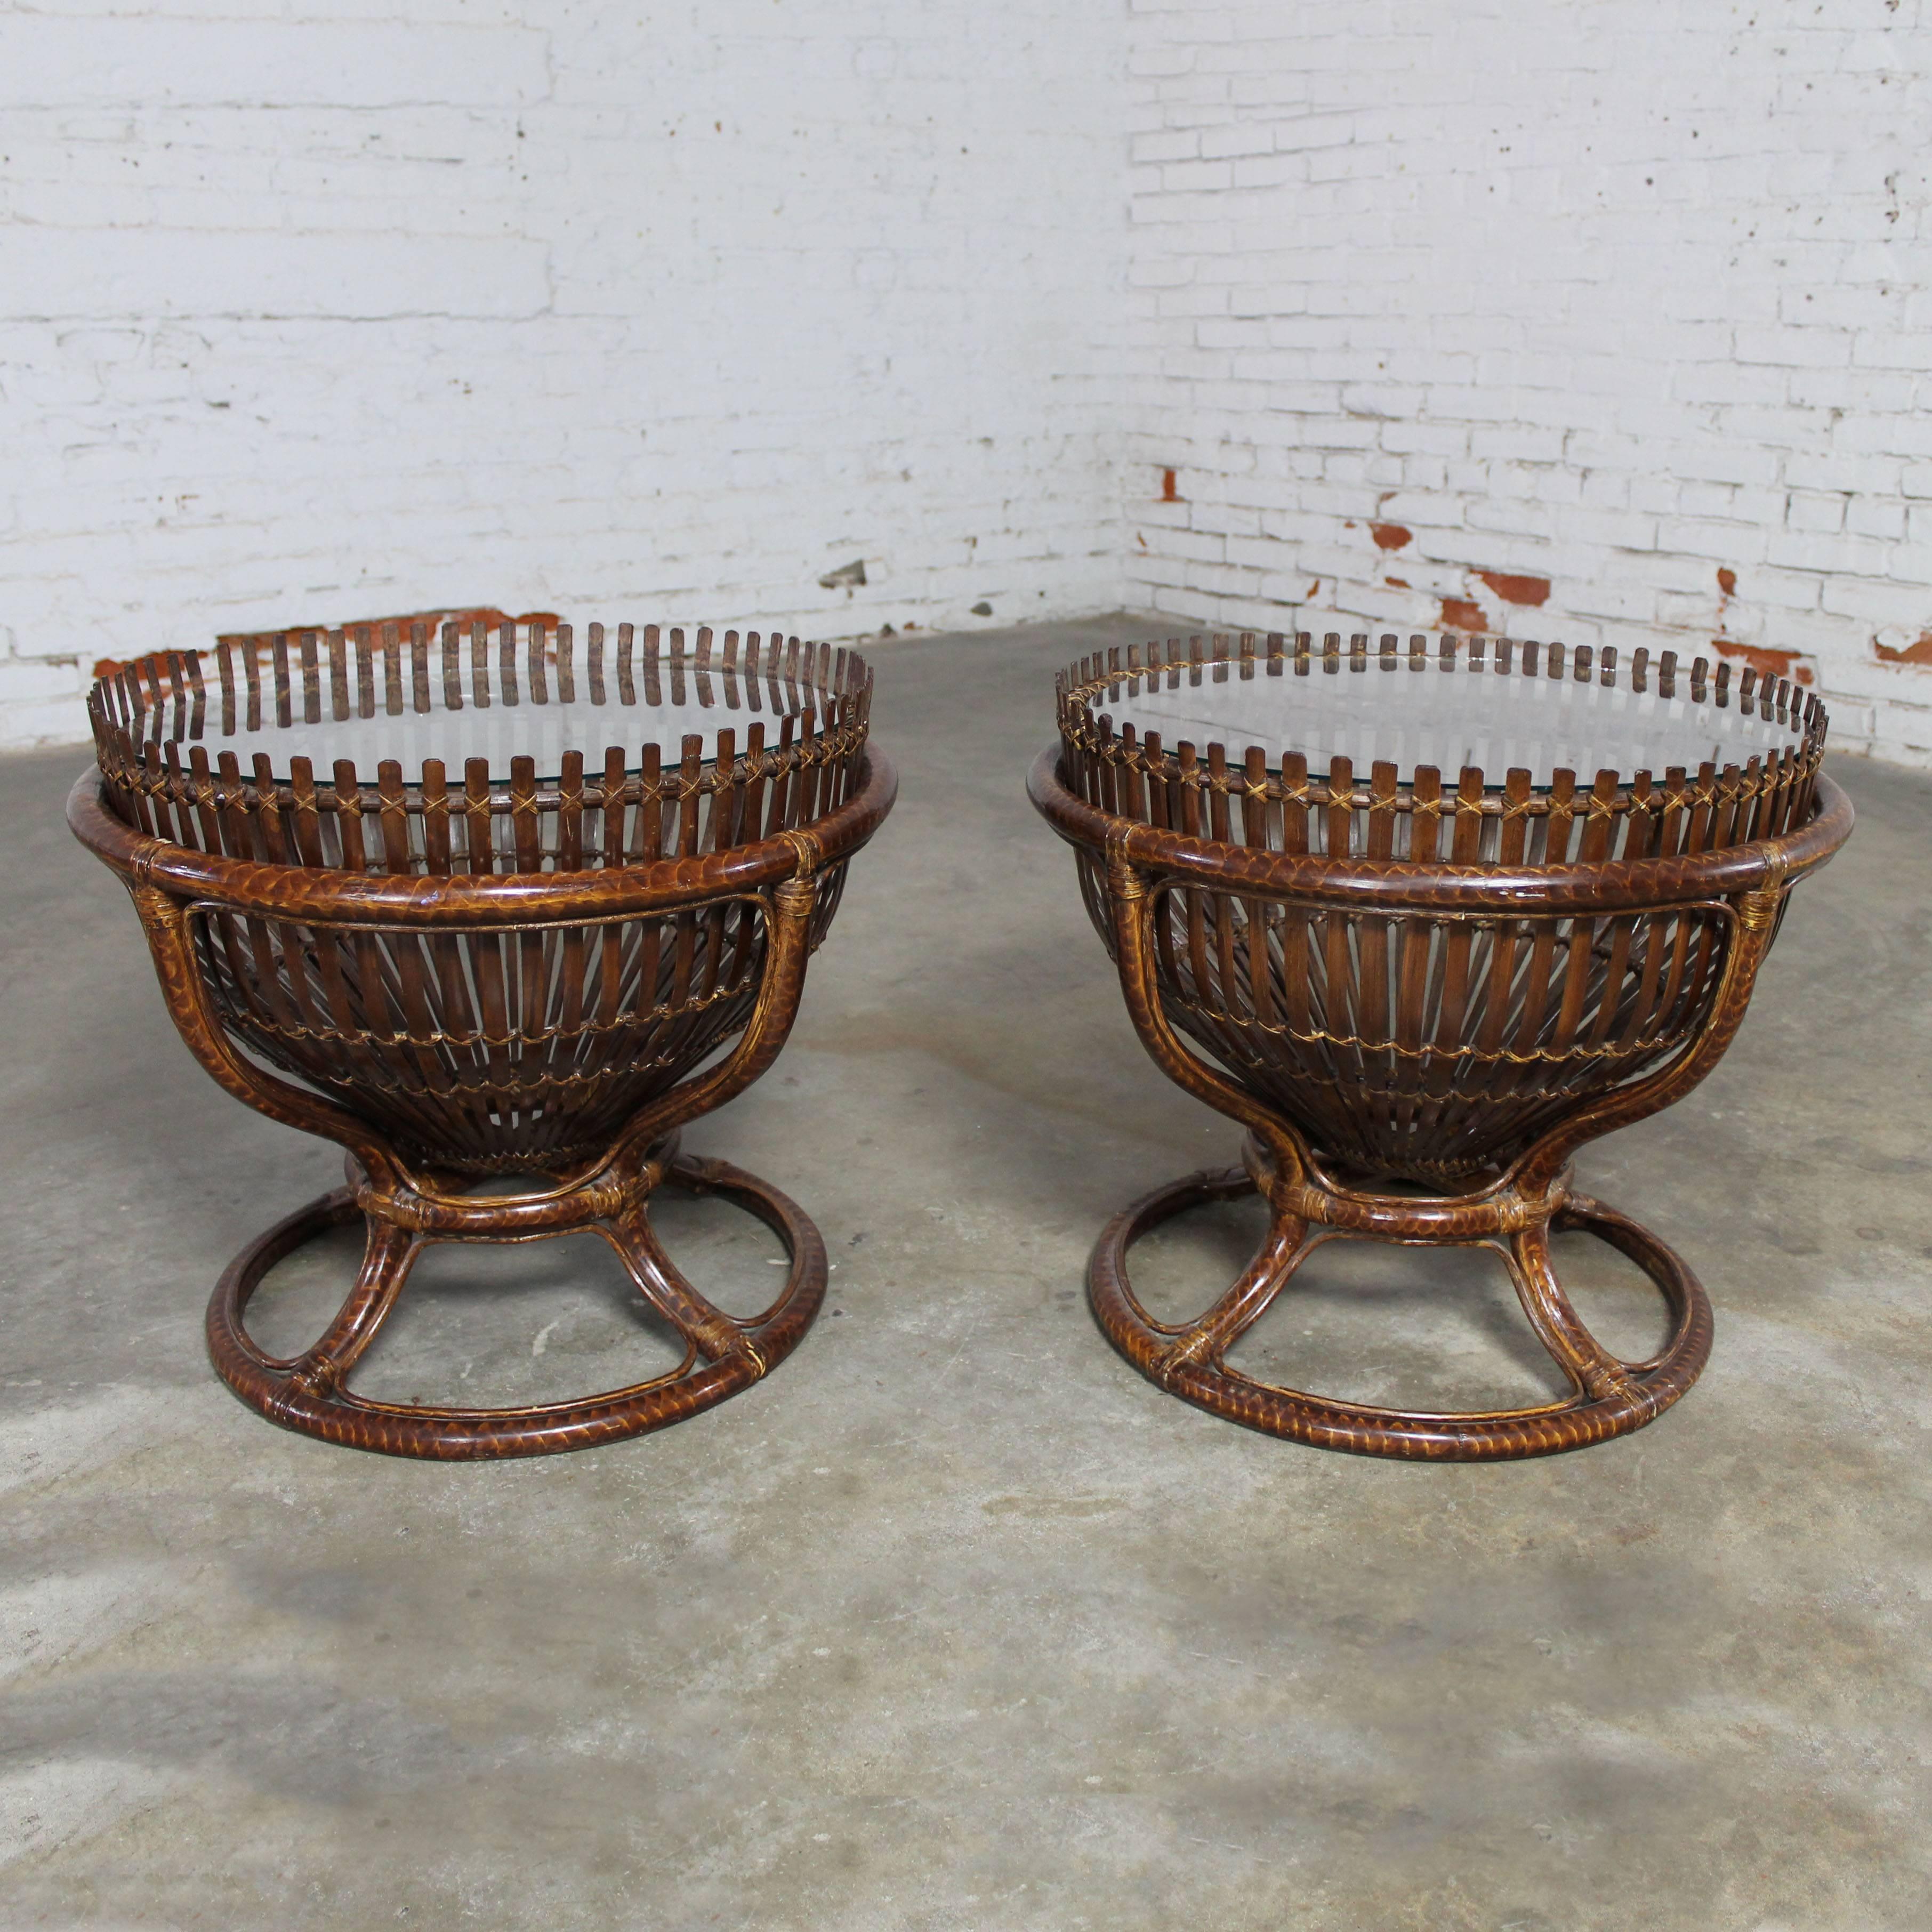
[{"x": 955, "y": 1622}]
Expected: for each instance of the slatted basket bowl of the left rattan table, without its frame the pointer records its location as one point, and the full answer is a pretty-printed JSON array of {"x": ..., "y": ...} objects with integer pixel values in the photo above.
[{"x": 472, "y": 1050}]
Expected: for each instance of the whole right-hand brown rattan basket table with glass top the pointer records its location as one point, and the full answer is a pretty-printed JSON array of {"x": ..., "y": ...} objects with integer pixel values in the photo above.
[{"x": 1423, "y": 994}]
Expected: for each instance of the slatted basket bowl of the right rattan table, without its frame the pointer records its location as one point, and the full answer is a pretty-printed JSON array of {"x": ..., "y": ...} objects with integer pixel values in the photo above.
[{"x": 1404, "y": 1035}]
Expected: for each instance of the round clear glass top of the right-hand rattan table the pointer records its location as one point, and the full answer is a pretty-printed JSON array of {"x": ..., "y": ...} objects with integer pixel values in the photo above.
[{"x": 1452, "y": 720}]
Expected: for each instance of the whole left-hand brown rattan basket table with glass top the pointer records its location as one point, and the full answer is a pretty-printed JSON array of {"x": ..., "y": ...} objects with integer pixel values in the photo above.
[{"x": 486, "y": 905}]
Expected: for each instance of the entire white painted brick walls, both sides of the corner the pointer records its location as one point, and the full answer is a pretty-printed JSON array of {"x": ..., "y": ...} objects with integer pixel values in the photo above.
[{"x": 312, "y": 314}]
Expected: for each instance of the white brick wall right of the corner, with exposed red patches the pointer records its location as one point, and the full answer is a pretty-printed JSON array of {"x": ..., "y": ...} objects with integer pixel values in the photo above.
[{"x": 1616, "y": 297}]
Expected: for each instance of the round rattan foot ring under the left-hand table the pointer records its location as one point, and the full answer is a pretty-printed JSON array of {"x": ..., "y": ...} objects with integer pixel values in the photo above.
[{"x": 308, "y": 1394}]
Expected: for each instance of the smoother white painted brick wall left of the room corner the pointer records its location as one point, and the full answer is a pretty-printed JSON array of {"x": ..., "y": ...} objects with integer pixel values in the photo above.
[{"x": 617, "y": 308}]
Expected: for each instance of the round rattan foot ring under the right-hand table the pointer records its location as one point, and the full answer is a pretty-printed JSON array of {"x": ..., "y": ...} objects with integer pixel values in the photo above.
[{"x": 1176, "y": 1361}]
